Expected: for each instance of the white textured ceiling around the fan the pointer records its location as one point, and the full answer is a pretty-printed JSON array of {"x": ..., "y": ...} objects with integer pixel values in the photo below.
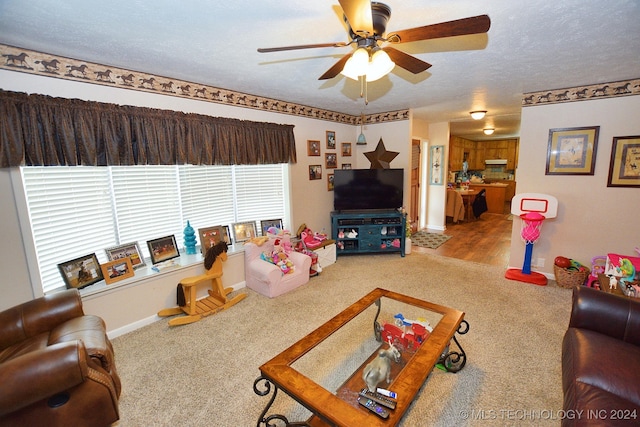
[{"x": 531, "y": 46}]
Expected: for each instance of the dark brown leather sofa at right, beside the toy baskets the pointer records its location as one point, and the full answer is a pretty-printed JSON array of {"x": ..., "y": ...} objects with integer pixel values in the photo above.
[{"x": 601, "y": 360}]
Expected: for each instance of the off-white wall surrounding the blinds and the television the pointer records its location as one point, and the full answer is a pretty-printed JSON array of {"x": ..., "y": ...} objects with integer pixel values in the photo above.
[{"x": 128, "y": 306}]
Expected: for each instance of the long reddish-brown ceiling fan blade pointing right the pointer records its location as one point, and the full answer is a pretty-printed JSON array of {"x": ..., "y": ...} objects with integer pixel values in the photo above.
[{"x": 460, "y": 27}]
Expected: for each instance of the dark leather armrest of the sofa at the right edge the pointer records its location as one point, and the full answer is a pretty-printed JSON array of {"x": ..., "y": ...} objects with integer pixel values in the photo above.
[{"x": 606, "y": 313}]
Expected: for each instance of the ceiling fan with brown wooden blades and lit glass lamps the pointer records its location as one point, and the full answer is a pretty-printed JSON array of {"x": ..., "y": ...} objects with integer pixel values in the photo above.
[{"x": 367, "y": 23}]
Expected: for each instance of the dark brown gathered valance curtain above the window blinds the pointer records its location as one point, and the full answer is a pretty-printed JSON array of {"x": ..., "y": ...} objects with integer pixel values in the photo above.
[{"x": 39, "y": 130}]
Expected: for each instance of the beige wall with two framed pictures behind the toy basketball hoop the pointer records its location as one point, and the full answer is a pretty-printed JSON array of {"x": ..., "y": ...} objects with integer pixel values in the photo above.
[{"x": 593, "y": 219}]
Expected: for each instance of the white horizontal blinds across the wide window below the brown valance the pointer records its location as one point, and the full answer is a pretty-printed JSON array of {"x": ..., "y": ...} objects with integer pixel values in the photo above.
[{"x": 75, "y": 211}]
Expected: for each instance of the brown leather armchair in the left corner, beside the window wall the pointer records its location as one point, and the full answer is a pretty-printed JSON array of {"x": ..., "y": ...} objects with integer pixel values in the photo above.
[{"x": 56, "y": 365}]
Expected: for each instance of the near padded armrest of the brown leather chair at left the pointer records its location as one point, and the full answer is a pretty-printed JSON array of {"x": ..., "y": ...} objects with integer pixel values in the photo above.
[{"x": 41, "y": 374}]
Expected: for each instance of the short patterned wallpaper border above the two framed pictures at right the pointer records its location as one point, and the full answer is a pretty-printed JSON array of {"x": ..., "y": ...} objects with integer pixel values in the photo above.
[{"x": 582, "y": 93}]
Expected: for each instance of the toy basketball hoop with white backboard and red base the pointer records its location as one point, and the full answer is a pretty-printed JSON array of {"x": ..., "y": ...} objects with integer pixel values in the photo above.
[{"x": 533, "y": 209}]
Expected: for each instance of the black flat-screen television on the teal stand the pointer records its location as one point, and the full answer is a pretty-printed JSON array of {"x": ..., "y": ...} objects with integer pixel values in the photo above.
[{"x": 367, "y": 189}]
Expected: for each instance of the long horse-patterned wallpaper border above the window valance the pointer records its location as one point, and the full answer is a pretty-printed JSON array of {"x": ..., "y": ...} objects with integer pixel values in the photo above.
[{"x": 33, "y": 62}]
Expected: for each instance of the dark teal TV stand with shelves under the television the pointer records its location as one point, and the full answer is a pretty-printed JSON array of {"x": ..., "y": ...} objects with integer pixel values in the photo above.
[{"x": 357, "y": 232}]
